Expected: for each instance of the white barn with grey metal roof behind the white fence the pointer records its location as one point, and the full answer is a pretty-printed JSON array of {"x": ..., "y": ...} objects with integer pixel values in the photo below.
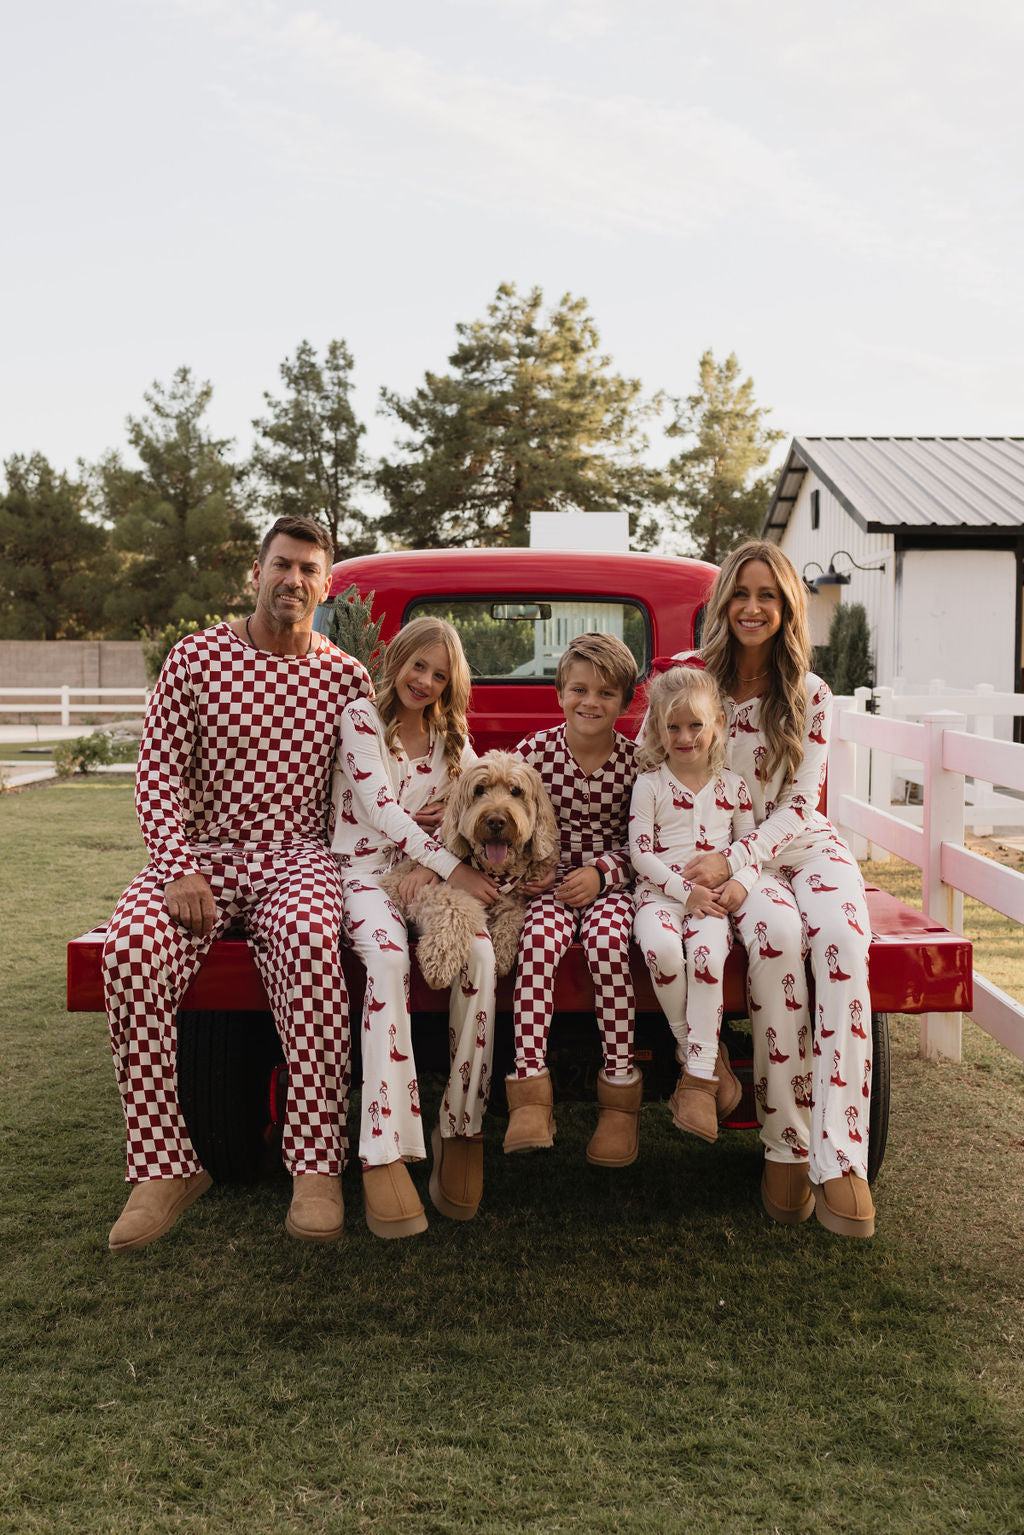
[{"x": 928, "y": 533}]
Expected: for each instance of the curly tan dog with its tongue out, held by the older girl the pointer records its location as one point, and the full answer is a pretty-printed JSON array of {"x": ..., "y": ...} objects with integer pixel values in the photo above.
[{"x": 500, "y": 819}]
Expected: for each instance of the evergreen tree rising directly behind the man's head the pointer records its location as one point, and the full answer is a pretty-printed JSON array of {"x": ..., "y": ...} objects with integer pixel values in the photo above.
[{"x": 309, "y": 458}]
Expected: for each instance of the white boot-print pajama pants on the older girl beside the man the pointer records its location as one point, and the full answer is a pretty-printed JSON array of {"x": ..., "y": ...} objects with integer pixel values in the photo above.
[{"x": 391, "y": 1123}]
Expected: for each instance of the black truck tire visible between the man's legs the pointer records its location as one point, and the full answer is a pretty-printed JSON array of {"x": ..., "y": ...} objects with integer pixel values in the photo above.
[{"x": 225, "y": 1068}]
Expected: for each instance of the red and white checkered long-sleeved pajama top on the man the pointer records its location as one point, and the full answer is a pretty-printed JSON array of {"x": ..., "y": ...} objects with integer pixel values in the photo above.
[{"x": 239, "y": 747}]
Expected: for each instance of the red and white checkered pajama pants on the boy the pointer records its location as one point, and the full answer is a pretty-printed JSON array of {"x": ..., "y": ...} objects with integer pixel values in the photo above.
[{"x": 604, "y": 931}]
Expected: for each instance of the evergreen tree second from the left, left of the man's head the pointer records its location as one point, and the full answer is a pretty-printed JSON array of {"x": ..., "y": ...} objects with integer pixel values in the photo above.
[{"x": 180, "y": 520}]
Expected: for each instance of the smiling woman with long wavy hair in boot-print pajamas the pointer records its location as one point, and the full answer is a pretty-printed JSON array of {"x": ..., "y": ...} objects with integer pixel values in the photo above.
[{"x": 813, "y": 1092}]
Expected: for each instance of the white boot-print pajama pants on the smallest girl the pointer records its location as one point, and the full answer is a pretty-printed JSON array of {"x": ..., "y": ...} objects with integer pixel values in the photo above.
[{"x": 687, "y": 957}]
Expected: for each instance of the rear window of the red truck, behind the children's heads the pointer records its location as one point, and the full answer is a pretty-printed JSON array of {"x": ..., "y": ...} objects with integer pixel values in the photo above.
[{"x": 521, "y": 639}]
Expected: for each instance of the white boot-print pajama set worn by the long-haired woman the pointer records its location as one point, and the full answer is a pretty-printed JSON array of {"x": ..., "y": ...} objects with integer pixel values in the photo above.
[{"x": 814, "y": 1100}]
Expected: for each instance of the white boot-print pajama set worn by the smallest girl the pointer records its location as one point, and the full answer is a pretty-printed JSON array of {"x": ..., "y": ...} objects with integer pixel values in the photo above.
[{"x": 685, "y": 954}]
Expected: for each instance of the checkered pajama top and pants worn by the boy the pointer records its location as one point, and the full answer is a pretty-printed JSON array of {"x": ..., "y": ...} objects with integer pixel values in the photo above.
[{"x": 593, "y": 816}]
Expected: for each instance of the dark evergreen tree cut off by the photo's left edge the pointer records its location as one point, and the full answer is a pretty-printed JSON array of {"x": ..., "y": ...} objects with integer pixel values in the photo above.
[{"x": 56, "y": 566}]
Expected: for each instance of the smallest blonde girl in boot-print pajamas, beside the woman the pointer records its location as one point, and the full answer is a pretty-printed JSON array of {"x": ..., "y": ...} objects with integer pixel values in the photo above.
[{"x": 685, "y": 802}]
